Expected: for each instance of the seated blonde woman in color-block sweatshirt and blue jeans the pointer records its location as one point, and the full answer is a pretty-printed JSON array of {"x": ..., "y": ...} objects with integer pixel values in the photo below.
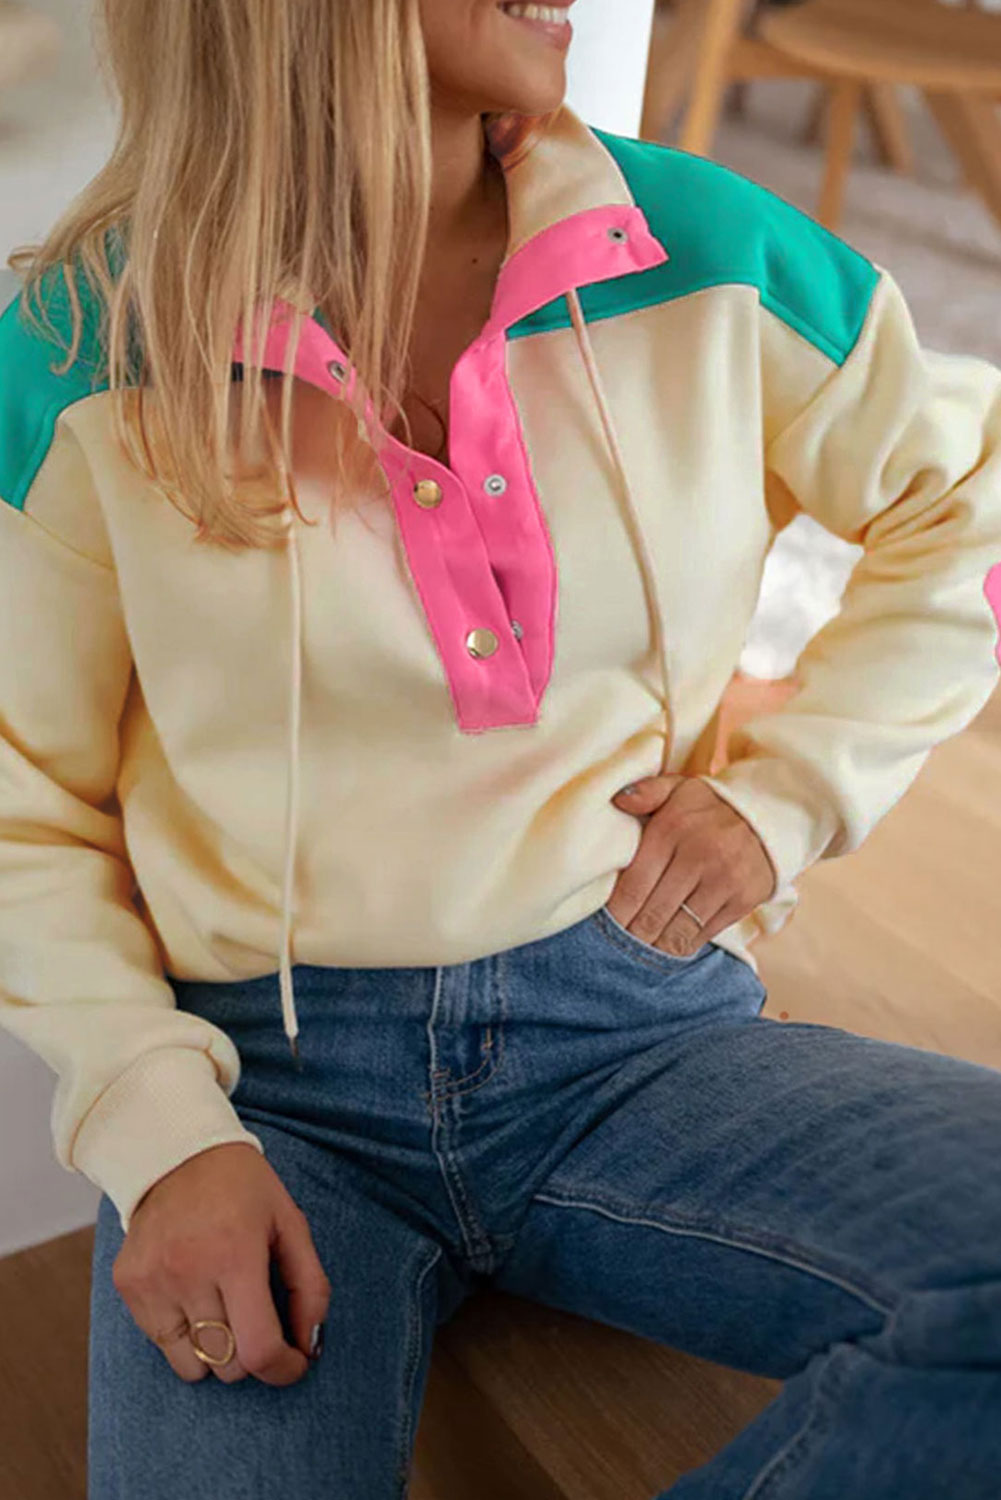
[{"x": 368, "y": 730}]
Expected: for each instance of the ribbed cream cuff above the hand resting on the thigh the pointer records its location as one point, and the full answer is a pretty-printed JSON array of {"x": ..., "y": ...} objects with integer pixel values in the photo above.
[{"x": 166, "y": 1108}]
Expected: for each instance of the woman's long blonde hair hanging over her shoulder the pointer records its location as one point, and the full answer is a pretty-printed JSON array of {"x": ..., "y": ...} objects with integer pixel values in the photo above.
[{"x": 266, "y": 149}]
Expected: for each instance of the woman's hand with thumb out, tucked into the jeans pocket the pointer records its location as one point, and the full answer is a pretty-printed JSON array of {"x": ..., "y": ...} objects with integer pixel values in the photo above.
[{"x": 696, "y": 848}]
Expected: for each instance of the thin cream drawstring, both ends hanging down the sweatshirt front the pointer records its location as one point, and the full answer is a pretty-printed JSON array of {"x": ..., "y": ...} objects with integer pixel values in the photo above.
[{"x": 292, "y": 812}]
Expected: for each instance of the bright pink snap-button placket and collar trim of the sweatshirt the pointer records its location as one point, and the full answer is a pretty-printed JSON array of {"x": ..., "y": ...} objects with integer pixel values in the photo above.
[{"x": 482, "y": 559}]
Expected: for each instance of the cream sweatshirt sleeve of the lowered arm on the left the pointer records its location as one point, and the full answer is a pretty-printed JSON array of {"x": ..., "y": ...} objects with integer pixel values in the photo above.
[{"x": 142, "y": 1087}]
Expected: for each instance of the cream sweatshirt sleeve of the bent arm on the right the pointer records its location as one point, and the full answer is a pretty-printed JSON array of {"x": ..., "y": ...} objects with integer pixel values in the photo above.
[{"x": 897, "y": 452}]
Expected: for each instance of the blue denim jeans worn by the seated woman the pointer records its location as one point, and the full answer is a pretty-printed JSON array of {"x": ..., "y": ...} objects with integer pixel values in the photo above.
[{"x": 597, "y": 1126}]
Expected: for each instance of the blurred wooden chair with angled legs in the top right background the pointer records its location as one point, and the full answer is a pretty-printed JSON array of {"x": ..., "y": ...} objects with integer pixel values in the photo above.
[{"x": 859, "y": 52}]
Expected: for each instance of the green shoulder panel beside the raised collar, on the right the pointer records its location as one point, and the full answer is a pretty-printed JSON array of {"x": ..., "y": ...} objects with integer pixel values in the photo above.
[{"x": 721, "y": 229}]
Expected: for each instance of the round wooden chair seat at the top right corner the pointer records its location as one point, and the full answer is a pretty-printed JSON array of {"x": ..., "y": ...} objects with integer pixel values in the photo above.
[{"x": 895, "y": 41}]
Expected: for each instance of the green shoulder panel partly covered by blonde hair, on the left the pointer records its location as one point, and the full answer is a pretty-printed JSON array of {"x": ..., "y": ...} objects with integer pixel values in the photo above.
[{"x": 32, "y": 395}]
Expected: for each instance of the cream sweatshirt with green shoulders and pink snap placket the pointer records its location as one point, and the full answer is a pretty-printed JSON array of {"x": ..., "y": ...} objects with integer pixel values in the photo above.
[{"x": 397, "y": 745}]
